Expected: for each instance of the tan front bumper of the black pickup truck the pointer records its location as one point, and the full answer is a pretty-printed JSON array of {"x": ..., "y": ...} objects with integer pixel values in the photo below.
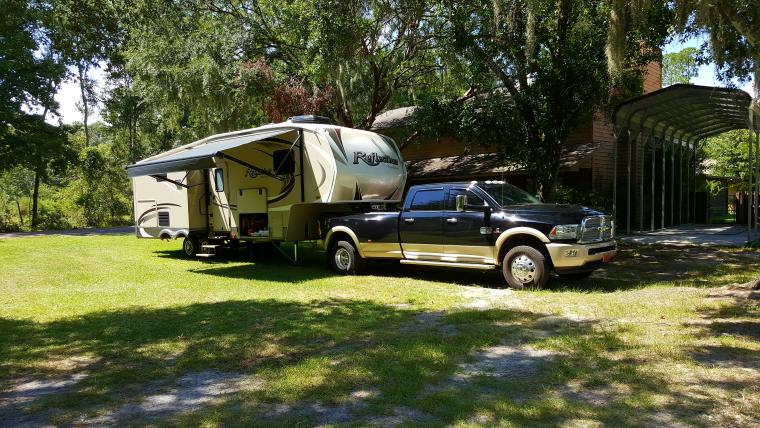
[{"x": 580, "y": 257}]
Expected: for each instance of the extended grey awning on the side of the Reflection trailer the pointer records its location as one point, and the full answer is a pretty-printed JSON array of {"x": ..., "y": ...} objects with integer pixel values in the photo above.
[{"x": 198, "y": 157}]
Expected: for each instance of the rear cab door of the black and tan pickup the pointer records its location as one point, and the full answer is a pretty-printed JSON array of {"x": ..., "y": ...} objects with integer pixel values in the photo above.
[{"x": 421, "y": 225}]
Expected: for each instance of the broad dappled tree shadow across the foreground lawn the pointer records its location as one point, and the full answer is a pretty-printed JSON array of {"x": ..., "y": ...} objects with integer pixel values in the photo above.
[{"x": 317, "y": 355}]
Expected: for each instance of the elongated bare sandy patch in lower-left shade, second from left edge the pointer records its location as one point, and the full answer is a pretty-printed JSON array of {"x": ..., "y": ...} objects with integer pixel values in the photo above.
[{"x": 189, "y": 393}]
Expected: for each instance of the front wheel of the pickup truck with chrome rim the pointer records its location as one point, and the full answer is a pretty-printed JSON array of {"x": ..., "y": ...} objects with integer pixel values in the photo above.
[{"x": 525, "y": 266}]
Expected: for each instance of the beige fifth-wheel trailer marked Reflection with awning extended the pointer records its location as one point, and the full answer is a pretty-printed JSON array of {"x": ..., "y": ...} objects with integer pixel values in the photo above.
[{"x": 267, "y": 184}]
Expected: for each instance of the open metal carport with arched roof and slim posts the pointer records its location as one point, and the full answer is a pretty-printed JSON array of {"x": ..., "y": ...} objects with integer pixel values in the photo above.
[{"x": 674, "y": 120}]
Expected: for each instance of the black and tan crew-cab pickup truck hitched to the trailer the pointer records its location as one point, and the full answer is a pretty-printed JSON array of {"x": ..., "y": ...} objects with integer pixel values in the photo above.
[{"x": 478, "y": 225}]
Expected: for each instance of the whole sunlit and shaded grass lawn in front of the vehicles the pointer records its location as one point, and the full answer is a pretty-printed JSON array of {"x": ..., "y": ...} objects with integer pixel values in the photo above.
[{"x": 112, "y": 330}]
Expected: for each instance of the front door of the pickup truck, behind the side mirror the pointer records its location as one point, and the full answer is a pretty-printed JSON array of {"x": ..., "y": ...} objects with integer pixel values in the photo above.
[{"x": 464, "y": 241}]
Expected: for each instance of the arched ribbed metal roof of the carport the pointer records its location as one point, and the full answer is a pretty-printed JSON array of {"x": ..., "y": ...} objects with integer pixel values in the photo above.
[{"x": 688, "y": 112}]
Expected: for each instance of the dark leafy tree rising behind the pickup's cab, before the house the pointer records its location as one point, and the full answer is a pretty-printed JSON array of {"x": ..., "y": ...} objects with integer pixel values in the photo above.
[{"x": 548, "y": 63}]
